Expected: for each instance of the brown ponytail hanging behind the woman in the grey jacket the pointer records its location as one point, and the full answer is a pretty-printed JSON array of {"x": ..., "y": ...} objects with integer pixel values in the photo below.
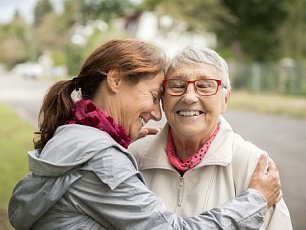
[{"x": 55, "y": 111}]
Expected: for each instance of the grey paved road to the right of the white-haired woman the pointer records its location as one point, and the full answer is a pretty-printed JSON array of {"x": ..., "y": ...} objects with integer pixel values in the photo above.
[{"x": 285, "y": 141}]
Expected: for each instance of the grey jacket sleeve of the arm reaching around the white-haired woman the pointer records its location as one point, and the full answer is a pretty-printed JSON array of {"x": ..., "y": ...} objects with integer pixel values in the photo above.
[{"x": 131, "y": 205}]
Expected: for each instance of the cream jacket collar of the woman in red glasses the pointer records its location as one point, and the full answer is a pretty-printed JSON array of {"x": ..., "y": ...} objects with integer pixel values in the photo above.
[{"x": 219, "y": 153}]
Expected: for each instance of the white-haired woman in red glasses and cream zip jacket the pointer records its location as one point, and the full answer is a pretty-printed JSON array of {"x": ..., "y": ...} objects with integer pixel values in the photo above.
[{"x": 196, "y": 161}]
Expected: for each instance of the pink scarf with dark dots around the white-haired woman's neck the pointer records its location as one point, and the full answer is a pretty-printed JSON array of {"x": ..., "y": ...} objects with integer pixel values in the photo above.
[{"x": 193, "y": 160}]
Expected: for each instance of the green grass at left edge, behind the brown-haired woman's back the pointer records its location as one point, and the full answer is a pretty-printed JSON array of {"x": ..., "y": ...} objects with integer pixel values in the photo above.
[{"x": 15, "y": 140}]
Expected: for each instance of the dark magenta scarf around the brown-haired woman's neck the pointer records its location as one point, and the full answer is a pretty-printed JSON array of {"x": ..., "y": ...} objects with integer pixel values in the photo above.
[{"x": 85, "y": 112}]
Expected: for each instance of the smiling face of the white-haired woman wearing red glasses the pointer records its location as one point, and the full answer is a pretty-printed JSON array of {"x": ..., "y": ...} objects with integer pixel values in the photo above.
[{"x": 191, "y": 115}]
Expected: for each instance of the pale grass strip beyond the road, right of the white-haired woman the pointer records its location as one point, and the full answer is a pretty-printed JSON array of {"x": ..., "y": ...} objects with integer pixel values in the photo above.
[{"x": 291, "y": 106}]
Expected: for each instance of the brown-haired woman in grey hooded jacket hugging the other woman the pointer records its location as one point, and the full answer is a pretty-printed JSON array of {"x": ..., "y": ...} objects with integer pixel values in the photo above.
[{"x": 83, "y": 177}]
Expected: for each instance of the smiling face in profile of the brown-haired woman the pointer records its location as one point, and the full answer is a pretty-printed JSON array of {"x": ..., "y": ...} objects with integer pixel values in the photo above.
[{"x": 139, "y": 103}]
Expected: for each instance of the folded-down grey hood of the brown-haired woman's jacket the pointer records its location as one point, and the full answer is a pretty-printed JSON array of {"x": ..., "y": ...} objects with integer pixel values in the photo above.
[{"x": 72, "y": 145}]
